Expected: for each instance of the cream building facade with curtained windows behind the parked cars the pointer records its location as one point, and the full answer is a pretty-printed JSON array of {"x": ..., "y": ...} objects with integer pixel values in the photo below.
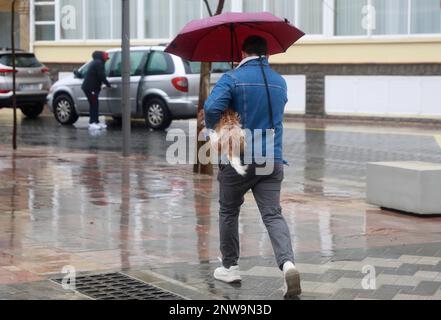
[{"x": 376, "y": 57}]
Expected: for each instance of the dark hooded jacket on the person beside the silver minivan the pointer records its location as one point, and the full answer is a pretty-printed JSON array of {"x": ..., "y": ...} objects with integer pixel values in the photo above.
[{"x": 96, "y": 74}]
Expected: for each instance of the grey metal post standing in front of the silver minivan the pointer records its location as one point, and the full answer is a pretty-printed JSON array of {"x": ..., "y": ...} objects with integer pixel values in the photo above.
[{"x": 125, "y": 44}]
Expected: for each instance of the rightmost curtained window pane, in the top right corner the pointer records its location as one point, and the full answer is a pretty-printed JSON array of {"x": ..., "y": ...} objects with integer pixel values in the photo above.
[{"x": 425, "y": 16}]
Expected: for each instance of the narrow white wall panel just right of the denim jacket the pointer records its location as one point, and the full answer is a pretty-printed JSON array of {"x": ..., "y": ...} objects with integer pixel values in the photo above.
[{"x": 296, "y": 94}]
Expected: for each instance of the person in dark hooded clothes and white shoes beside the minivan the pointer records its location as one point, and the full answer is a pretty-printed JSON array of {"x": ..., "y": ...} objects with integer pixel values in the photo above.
[{"x": 95, "y": 77}]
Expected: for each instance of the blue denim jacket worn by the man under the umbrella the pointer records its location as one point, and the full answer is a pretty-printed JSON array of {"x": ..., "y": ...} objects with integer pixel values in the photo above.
[{"x": 243, "y": 90}]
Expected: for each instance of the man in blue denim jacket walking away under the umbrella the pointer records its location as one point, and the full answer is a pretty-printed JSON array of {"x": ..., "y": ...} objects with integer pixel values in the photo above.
[{"x": 258, "y": 94}]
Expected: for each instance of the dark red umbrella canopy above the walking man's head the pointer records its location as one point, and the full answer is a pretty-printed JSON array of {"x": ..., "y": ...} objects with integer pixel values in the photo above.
[{"x": 219, "y": 38}]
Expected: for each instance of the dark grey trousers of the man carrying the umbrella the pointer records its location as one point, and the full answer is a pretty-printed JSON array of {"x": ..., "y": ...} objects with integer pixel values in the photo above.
[{"x": 266, "y": 191}]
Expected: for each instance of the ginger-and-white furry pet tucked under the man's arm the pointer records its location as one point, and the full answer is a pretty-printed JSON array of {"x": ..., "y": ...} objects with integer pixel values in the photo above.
[{"x": 228, "y": 138}]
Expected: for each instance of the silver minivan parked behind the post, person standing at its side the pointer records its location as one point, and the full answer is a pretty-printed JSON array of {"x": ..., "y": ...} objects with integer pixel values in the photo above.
[{"x": 163, "y": 87}]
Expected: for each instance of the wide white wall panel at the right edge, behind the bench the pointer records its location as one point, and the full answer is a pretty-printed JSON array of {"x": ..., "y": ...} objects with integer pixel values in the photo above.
[{"x": 383, "y": 95}]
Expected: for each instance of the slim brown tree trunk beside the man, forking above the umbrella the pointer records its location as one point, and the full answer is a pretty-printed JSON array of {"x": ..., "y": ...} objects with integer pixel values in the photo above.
[{"x": 204, "y": 91}]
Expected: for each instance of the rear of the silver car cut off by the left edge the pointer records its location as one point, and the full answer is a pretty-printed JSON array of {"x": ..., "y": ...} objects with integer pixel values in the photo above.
[{"x": 32, "y": 82}]
